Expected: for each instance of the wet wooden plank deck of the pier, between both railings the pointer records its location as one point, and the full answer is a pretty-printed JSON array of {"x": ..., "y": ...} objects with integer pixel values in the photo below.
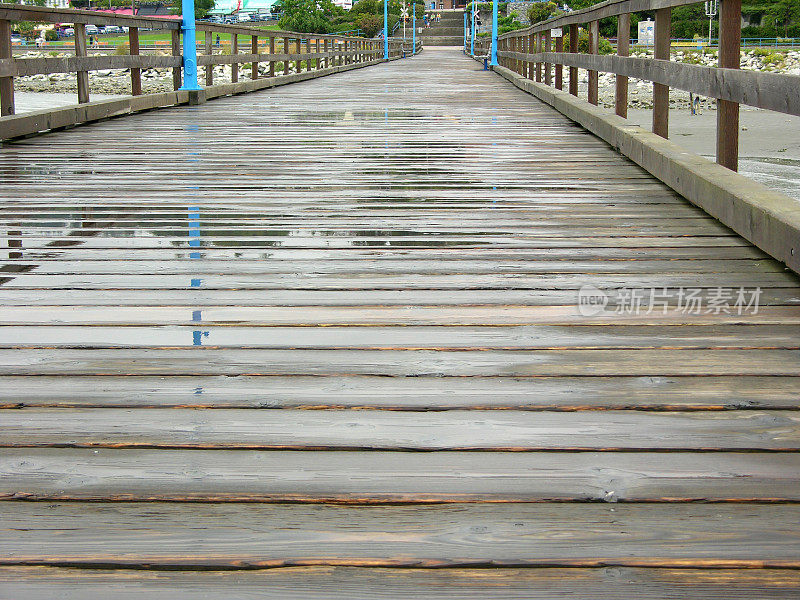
[{"x": 196, "y": 301}]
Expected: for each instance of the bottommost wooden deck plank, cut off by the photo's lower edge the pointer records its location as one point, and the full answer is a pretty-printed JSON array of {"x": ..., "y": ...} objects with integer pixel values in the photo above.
[{"x": 317, "y": 583}]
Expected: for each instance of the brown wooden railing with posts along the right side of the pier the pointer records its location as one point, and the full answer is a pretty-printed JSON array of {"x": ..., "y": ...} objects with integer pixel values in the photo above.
[{"x": 538, "y": 54}]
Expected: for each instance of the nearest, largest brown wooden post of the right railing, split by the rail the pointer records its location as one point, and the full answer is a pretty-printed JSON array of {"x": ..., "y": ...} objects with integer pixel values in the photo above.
[{"x": 730, "y": 39}]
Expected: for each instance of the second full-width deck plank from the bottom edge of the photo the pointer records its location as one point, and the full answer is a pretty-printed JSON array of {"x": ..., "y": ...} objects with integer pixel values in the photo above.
[{"x": 188, "y": 536}]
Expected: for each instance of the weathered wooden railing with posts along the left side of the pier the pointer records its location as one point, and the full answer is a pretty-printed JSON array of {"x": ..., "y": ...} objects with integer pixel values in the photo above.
[{"x": 285, "y": 52}]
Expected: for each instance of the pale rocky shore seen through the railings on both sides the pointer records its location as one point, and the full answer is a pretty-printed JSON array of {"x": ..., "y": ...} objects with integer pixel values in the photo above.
[{"x": 640, "y": 93}]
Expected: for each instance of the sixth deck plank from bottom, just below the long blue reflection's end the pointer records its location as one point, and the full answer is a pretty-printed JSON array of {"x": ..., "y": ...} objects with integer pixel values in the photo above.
[{"x": 406, "y": 363}]
